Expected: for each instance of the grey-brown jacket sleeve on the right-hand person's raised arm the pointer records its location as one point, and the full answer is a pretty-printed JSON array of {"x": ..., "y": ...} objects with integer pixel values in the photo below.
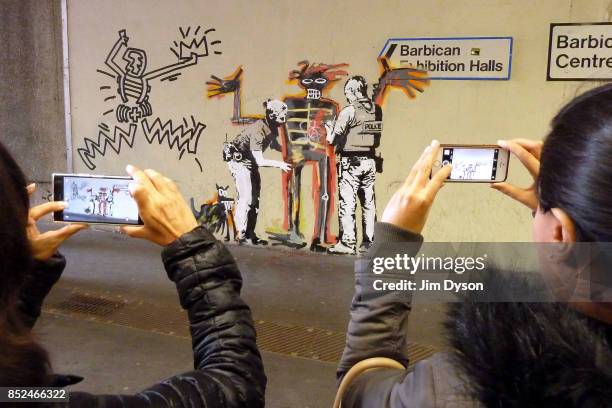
[{"x": 378, "y": 319}]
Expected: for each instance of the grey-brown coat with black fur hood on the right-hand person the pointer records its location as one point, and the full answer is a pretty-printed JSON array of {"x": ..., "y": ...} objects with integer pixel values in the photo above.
[{"x": 503, "y": 354}]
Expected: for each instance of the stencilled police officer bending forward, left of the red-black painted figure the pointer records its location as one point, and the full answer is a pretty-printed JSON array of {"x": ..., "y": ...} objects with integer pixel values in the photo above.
[{"x": 244, "y": 156}]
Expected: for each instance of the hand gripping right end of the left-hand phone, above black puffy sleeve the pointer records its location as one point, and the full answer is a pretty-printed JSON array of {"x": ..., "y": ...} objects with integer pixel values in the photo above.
[{"x": 162, "y": 208}]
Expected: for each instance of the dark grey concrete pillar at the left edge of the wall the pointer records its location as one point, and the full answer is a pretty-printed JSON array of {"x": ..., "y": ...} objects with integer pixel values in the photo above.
[{"x": 31, "y": 94}]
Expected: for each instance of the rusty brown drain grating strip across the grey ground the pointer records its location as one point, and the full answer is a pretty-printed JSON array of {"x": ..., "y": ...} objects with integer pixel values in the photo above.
[{"x": 297, "y": 341}]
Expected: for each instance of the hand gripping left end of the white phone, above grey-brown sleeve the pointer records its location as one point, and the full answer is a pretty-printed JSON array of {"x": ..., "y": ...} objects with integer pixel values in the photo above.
[{"x": 409, "y": 206}]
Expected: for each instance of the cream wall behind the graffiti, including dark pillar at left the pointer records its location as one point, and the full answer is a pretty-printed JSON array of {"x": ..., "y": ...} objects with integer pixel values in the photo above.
[{"x": 267, "y": 39}]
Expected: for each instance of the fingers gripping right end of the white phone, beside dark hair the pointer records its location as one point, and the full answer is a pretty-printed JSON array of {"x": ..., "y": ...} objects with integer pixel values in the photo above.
[{"x": 528, "y": 152}]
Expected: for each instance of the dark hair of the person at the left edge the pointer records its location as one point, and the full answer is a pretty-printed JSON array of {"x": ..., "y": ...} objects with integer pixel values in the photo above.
[{"x": 23, "y": 362}]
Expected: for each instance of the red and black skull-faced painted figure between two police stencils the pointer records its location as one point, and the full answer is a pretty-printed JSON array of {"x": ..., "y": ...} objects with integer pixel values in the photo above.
[{"x": 303, "y": 142}]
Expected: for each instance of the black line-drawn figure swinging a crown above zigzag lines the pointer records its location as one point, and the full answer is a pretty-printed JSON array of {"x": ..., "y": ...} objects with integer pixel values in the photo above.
[{"x": 130, "y": 96}]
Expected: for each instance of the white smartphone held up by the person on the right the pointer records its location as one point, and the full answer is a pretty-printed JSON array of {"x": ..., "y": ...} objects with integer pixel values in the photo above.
[{"x": 473, "y": 163}]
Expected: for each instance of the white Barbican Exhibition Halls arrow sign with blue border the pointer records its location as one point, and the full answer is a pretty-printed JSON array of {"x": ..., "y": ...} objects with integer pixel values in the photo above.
[{"x": 467, "y": 58}]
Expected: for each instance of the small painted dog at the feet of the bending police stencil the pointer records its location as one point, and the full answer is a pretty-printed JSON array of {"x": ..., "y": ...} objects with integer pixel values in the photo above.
[{"x": 217, "y": 214}]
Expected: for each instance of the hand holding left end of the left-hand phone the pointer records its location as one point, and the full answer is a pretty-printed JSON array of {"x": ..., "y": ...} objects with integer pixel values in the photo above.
[{"x": 44, "y": 245}]
